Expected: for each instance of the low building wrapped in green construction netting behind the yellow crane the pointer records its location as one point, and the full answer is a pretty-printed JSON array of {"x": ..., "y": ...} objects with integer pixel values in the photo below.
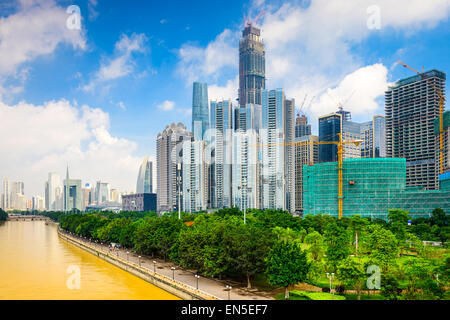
[{"x": 370, "y": 188}]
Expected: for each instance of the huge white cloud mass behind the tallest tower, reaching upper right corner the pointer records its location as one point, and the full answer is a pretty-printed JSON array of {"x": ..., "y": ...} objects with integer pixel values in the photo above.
[{"x": 309, "y": 50}]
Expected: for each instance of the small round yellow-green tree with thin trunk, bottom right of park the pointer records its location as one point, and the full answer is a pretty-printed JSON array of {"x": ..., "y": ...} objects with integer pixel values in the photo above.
[{"x": 351, "y": 273}]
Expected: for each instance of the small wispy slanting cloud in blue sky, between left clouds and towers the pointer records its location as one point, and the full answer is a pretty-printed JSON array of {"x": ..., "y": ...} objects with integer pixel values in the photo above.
[{"x": 123, "y": 63}]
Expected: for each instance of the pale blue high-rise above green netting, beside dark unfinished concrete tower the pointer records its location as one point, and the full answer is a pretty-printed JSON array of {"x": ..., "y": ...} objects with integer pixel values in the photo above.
[{"x": 373, "y": 133}]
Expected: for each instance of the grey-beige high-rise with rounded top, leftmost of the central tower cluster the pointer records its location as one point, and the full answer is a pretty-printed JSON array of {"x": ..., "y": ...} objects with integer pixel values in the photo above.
[{"x": 169, "y": 153}]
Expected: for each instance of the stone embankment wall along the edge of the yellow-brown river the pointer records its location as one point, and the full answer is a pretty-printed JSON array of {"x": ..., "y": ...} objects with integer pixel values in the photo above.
[{"x": 172, "y": 286}]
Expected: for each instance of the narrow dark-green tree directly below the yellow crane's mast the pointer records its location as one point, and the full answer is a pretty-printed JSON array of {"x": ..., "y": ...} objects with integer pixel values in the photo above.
[{"x": 338, "y": 245}]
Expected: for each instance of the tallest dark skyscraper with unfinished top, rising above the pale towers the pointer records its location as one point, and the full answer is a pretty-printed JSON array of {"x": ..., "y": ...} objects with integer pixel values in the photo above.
[{"x": 252, "y": 66}]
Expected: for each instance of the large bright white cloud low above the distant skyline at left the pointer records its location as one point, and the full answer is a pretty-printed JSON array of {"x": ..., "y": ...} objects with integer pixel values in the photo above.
[{"x": 45, "y": 138}]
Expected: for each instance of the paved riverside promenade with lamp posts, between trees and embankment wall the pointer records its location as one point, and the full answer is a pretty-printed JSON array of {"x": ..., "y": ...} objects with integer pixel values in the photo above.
[{"x": 211, "y": 286}]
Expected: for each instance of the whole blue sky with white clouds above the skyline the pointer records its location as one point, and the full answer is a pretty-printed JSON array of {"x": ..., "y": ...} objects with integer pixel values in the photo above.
[{"x": 95, "y": 97}]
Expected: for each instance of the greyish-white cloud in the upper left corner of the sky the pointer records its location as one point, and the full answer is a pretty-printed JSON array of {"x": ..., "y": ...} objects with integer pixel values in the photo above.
[{"x": 36, "y": 29}]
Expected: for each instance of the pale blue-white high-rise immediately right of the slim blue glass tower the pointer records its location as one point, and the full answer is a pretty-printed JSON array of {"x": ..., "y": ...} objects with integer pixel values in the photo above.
[{"x": 221, "y": 140}]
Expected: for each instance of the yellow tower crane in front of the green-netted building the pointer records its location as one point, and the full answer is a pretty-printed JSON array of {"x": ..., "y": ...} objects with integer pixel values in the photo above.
[{"x": 340, "y": 147}]
